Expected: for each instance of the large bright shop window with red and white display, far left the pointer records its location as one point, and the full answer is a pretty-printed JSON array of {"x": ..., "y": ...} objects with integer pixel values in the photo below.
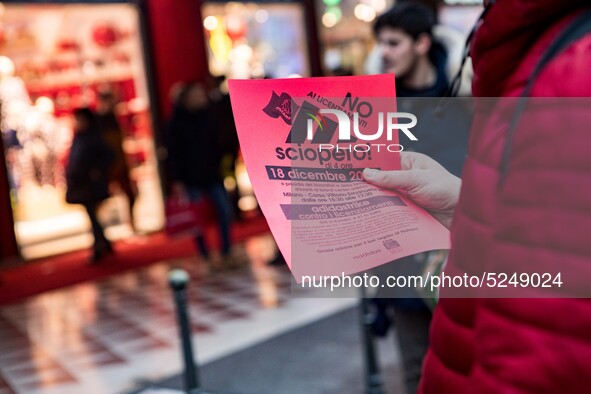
[{"x": 54, "y": 58}]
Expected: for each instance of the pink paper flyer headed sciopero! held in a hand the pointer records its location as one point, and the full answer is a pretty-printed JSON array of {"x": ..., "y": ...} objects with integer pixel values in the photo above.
[{"x": 305, "y": 143}]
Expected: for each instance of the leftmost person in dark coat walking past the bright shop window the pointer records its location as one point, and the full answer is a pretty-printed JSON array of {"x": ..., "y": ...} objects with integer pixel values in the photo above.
[{"x": 86, "y": 175}]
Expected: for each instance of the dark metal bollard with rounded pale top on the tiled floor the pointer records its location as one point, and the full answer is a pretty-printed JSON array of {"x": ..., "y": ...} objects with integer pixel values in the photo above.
[{"x": 178, "y": 280}]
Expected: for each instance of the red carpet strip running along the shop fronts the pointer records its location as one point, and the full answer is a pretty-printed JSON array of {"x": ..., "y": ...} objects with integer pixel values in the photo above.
[{"x": 52, "y": 273}]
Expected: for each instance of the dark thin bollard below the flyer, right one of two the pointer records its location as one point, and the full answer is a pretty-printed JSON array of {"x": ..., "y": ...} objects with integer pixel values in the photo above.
[{"x": 374, "y": 382}]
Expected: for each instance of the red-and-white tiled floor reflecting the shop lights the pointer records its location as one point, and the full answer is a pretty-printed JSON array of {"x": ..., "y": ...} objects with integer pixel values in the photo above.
[{"x": 97, "y": 336}]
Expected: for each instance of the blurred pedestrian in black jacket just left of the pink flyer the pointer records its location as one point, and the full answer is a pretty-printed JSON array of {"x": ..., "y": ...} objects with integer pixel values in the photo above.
[{"x": 194, "y": 157}]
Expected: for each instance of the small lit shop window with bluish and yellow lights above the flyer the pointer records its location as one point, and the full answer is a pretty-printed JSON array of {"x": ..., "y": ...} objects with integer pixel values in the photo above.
[{"x": 256, "y": 40}]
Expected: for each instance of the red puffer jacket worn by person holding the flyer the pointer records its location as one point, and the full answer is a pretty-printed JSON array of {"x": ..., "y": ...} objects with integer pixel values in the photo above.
[{"x": 541, "y": 216}]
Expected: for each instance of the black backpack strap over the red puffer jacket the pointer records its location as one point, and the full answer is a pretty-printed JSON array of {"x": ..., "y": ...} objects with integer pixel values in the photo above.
[{"x": 579, "y": 28}]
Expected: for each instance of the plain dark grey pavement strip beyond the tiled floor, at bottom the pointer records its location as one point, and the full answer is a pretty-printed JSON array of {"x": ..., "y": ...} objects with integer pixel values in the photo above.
[{"x": 322, "y": 358}]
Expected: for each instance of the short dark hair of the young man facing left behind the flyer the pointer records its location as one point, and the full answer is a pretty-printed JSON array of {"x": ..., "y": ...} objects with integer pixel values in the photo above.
[{"x": 412, "y": 18}]
